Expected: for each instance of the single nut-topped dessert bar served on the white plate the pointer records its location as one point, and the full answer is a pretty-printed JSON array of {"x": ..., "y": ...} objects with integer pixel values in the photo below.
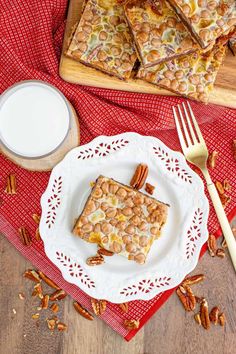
[{"x": 121, "y": 219}]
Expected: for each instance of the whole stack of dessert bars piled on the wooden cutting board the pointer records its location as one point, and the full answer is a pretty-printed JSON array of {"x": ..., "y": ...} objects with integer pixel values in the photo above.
[{"x": 178, "y": 45}]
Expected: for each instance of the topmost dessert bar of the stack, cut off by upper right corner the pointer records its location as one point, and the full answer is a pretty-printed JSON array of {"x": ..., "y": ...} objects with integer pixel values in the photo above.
[{"x": 207, "y": 20}]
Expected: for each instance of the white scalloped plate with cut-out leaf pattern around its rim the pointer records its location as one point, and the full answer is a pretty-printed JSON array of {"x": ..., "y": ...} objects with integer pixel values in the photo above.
[{"x": 171, "y": 257}]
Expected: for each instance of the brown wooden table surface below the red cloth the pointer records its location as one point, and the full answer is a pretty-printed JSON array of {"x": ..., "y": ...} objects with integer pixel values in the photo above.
[{"x": 170, "y": 330}]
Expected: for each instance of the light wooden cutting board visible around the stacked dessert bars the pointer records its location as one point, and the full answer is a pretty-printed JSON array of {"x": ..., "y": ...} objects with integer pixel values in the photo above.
[{"x": 70, "y": 70}]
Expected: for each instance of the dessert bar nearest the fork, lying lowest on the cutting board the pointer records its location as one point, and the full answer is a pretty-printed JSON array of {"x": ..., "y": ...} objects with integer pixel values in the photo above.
[{"x": 192, "y": 76}]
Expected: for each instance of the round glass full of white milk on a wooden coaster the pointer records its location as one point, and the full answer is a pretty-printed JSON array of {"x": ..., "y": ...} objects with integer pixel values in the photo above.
[{"x": 34, "y": 119}]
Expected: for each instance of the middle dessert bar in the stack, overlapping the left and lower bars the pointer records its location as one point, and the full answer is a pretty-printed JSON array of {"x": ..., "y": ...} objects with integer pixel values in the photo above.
[{"x": 158, "y": 33}]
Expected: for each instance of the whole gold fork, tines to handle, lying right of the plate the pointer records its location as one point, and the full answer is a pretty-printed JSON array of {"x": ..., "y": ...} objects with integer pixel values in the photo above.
[{"x": 195, "y": 151}]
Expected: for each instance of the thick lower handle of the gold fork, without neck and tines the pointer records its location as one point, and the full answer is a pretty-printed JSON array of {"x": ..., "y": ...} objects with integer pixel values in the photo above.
[{"x": 224, "y": 223}]
